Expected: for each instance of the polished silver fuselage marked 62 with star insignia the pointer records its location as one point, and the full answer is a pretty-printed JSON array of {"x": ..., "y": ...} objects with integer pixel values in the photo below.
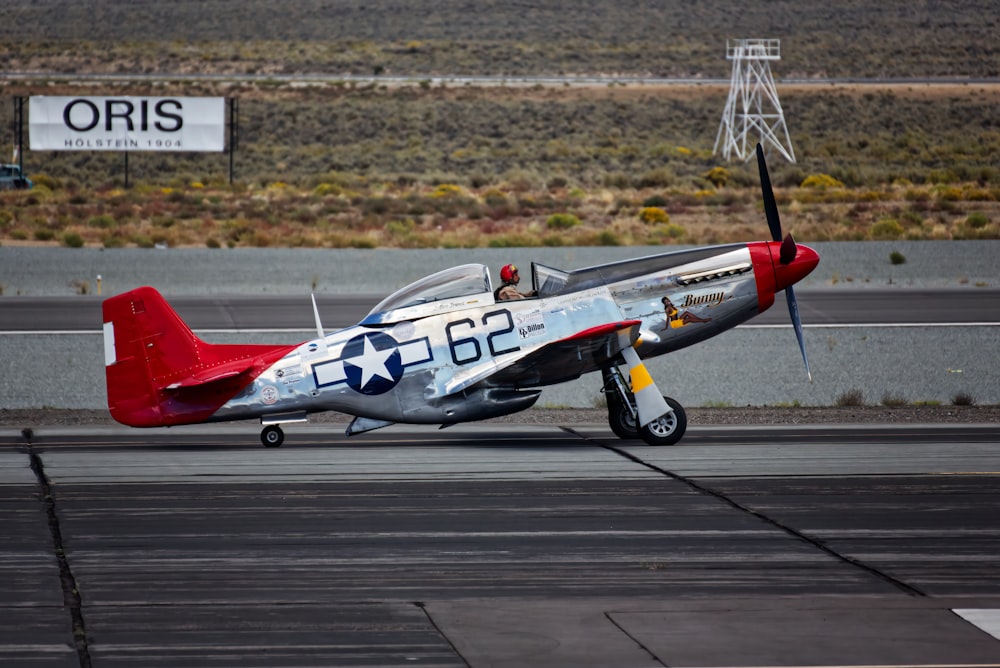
[{"x": 433, "y": 354}]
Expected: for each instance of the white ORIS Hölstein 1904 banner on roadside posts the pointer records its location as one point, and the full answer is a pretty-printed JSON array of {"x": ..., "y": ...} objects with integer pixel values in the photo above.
[{"x": 127, "y": 123}]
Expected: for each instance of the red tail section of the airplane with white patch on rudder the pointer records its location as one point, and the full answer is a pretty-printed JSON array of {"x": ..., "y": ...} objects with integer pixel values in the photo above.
[{"x": 160, "y": 373}]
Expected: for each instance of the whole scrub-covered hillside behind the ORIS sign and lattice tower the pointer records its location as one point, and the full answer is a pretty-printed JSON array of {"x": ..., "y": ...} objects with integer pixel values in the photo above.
[{"x": 346, "y": 163}]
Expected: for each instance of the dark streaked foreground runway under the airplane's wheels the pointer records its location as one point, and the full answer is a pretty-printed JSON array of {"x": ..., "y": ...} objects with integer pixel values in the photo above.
[{"x": 499, "y": 545}]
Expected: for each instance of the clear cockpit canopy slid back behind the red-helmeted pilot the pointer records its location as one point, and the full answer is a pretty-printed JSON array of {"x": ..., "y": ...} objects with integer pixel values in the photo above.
[{"x": 452, "y": 289}]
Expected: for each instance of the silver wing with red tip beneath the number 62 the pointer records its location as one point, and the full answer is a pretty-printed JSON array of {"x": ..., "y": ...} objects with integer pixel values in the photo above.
[{"x": 563, "y": 359}]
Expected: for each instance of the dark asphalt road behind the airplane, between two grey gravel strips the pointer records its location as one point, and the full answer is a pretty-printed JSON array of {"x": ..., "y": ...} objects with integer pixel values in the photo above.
[{"x": 283, "y": 312}]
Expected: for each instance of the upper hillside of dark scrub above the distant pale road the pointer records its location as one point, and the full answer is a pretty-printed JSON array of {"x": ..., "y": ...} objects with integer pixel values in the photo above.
[{"x": 843, "y": 39}]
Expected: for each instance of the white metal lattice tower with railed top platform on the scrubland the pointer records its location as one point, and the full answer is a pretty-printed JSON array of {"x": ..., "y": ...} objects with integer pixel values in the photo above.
[{"x": 753, "y": 113}]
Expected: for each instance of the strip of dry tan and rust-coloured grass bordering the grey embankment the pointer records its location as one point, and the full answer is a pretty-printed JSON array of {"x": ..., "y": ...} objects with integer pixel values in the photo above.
[{"x": 419, "y": 216}]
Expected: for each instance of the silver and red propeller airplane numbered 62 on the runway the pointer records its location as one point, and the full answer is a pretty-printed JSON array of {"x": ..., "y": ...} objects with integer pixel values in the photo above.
[{"x": 444, "y": 350}]
